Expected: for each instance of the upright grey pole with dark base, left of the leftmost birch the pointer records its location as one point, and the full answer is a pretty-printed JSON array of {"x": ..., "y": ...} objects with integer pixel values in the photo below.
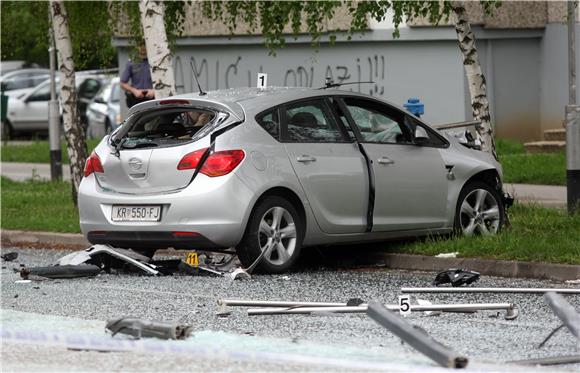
[{"x": 54, "y": 115}]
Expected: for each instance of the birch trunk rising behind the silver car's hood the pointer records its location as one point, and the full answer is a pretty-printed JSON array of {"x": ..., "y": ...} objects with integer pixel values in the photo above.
[{"x": 475, "y": 78}]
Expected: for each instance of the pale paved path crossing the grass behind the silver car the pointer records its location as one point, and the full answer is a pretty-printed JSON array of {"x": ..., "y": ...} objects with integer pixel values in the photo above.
[{"x": 546, "y": 195}]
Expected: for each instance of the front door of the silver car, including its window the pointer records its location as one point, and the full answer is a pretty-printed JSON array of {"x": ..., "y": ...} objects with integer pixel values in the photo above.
[{"x": 410, "y": 180}]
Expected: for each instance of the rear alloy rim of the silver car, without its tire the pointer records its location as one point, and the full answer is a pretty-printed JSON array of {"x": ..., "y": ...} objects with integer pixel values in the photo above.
[{"x": 277, "y": 235}]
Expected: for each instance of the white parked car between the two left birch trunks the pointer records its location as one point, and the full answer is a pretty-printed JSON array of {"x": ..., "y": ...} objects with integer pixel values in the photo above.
[{"x": 104, "y": 112}]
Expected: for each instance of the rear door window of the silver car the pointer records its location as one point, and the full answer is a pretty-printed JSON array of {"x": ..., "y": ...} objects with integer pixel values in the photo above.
[{"x": 312, "y": 122}]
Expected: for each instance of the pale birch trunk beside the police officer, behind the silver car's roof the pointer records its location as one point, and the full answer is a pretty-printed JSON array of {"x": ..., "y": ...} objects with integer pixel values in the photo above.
[{"x": 158, "y": 53}]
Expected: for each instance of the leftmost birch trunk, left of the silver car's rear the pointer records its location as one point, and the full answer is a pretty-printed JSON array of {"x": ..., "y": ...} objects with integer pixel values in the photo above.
[{"x": 73, "y": 130}]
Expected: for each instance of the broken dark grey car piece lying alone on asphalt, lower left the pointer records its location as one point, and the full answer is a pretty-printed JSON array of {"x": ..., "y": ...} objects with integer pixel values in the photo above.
[{"x": 148, "y": 329}]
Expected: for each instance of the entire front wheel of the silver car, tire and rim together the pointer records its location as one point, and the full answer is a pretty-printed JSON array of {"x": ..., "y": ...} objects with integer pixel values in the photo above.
[{"x": 479, "y": 210}]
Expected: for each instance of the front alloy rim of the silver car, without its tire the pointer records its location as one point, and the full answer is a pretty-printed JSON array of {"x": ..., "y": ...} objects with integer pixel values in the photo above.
[{"x": 480, "y": 213}]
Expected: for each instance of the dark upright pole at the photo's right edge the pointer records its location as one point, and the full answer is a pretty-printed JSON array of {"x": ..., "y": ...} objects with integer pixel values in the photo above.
[{"x": 572, "y": 118}]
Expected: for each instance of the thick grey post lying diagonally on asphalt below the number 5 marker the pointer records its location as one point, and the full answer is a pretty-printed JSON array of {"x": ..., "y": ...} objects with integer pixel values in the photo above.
[{"x": 418, "y": 340}]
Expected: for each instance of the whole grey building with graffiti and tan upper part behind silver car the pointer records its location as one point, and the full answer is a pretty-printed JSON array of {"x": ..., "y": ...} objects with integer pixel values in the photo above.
[{"x": 522, "y": 49}]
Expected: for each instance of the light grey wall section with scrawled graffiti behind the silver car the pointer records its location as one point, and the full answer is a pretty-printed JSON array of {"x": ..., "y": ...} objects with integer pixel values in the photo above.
[{"x": 431, "y": 71}]
